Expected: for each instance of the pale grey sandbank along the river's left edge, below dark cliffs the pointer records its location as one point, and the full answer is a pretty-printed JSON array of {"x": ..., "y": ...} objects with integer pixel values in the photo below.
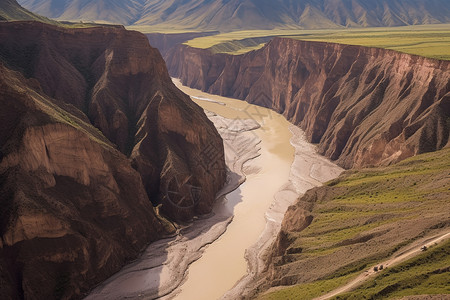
[{"x": 163, "y": 265}]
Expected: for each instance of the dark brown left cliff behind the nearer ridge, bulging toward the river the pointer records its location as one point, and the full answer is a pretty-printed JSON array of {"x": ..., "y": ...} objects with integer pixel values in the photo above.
[{"x": 122, "y": 85}]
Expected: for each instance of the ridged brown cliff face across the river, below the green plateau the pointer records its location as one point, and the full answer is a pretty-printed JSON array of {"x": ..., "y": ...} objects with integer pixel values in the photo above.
[{"x": 363, "y": 106}]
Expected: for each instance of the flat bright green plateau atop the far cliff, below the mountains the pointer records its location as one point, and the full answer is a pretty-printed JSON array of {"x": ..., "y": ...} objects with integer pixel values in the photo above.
[{"x": 426, "y": 40}]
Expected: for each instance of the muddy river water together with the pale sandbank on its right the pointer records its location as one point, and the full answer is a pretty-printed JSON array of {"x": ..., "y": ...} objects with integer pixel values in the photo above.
[{"x": 278, "y": 178}]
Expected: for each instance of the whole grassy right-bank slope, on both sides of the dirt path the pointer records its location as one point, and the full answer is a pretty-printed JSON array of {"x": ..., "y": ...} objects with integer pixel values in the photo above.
[{"x": 403, "y": 194}]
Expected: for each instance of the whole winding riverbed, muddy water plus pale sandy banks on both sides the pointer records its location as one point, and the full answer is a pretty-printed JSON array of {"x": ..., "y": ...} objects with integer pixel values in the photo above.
[{"x": 271, "y": 164}]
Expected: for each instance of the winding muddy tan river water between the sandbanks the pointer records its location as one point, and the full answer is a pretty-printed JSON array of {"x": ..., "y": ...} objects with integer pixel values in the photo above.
[{"x": 223, "y": 262}]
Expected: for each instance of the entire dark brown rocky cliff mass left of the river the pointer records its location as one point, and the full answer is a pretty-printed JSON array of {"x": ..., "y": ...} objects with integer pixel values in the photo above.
[{"x": 92, "y": 131}]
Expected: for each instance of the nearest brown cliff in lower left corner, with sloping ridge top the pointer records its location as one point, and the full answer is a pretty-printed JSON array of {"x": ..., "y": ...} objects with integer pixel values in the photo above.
[{"x": 73, "y": 208}]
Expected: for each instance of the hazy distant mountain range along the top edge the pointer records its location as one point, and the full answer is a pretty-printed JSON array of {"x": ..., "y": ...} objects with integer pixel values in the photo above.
[{"x": 226, "y": 15}]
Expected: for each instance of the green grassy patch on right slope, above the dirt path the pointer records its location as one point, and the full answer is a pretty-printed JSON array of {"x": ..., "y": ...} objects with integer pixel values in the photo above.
[{"x": 373, "y": 192}]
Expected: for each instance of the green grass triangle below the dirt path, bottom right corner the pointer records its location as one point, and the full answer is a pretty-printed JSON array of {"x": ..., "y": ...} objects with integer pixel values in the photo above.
[{"x": 425, "y": 274}]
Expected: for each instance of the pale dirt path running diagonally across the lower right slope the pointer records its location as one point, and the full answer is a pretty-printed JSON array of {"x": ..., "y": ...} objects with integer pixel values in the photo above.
[{"x": 415, "y": 250}]
